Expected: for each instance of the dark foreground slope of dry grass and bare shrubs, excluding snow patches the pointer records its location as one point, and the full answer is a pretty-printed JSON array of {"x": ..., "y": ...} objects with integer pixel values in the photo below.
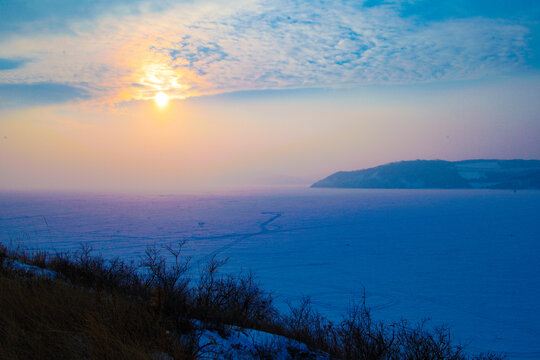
[{"x": 94, "y": 308}]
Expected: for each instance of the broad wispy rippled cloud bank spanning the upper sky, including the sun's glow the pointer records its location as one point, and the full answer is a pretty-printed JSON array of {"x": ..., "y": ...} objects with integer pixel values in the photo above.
[{"x": 209, "y": 47}]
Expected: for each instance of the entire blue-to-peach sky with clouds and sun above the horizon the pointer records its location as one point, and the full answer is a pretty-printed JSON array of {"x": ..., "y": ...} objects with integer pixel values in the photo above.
[{"x": 258, "y": 92}]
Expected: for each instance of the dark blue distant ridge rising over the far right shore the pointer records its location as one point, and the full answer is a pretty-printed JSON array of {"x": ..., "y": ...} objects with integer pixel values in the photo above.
[{"x": 440, "y": 174}]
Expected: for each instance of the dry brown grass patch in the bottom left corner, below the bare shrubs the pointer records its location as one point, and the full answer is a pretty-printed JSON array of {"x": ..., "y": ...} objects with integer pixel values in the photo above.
[{"x": 50, "y": 319}]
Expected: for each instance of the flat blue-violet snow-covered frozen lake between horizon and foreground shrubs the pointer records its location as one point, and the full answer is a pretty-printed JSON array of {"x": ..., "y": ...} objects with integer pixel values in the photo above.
[{"x": 469, "y": 259}]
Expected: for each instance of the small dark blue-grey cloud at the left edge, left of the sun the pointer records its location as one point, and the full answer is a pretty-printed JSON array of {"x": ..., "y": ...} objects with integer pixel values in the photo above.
[{"x": 17, "y": 95}]
